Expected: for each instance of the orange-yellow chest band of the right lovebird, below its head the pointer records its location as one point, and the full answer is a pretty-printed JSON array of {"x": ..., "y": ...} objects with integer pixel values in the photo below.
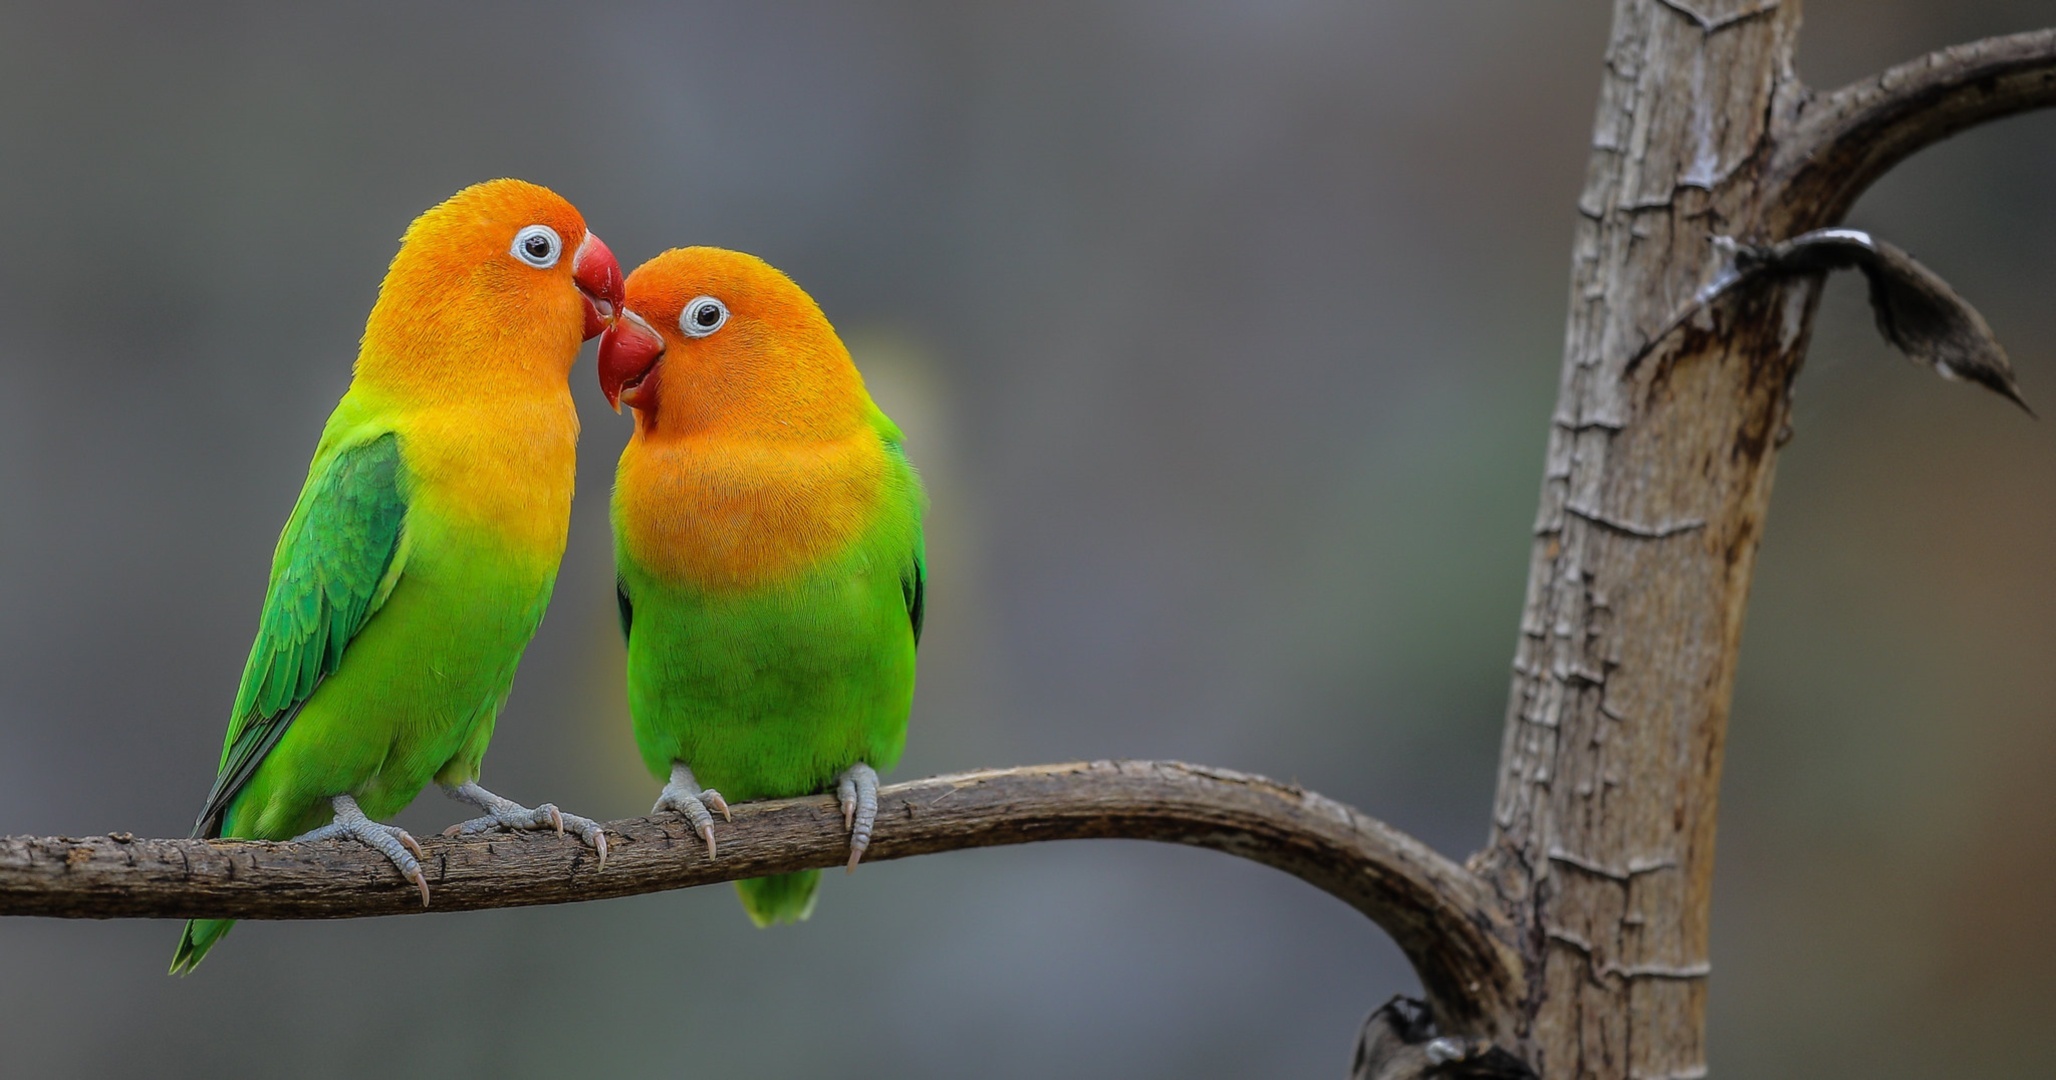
[{"x": 723, "y": 515}]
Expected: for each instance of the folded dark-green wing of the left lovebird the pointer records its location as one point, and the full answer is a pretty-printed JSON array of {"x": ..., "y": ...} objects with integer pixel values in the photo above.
[{"x": 336, "y": 563}]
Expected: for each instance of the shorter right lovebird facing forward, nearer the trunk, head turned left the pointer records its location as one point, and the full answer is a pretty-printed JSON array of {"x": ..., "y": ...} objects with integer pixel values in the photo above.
[{"x": 768, "y": 542}]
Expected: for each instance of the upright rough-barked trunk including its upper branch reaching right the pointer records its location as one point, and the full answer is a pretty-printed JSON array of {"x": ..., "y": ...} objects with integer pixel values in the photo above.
[{"x": 1654, "y": 499}]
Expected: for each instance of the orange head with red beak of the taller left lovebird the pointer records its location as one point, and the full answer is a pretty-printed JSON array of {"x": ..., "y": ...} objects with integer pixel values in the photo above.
[{"x": 501, "y": 277}]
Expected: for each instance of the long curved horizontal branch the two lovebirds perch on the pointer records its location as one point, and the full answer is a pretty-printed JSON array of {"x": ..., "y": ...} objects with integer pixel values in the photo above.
[{"x": 1436, "y": 910}]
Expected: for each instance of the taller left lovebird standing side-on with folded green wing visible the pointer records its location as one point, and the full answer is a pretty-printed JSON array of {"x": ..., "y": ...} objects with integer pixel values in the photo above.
[{"x": 425, "y": 546}]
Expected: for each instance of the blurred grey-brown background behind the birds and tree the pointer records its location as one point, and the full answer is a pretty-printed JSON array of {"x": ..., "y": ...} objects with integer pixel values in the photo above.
[{"x": 1226, "y": 334}]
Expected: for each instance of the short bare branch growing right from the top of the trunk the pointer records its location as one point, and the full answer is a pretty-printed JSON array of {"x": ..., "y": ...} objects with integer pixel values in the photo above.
[{"x": 1839, "y": 145}]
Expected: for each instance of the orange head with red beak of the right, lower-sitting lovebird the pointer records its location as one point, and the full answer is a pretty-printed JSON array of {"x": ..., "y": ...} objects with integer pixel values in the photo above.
[{"x": 717, "y": 340}]
